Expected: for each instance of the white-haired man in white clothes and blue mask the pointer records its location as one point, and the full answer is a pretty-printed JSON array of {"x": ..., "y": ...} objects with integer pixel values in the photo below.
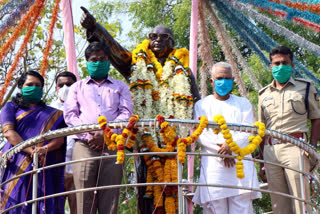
[{"x": 222, "y": 171}]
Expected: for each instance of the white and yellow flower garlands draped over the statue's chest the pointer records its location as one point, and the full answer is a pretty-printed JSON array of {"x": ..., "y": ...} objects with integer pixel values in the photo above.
[{"x": 161, "y": 89}]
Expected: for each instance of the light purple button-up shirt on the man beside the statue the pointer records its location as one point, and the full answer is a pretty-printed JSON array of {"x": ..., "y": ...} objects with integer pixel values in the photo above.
[{"x": 87, "y": 100}]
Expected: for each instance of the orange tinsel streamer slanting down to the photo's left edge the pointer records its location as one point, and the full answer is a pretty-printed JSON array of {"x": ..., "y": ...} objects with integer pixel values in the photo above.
[{"x": 23, "y": 46}]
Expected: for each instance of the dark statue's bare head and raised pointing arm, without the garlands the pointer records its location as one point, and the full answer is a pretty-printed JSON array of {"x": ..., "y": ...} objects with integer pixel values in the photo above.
[{"x": 161, "y": 43}]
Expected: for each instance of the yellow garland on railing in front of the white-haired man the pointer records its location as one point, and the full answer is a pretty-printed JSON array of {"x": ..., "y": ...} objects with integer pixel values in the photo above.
[{"x": 241, "y": 152}]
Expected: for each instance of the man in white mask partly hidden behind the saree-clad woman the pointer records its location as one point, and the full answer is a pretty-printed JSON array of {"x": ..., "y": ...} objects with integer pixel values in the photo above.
[{"x": 63, "y": 82}]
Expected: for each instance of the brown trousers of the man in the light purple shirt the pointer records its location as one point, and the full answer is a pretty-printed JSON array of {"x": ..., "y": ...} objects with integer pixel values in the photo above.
[{"x": 85, "y": 175}]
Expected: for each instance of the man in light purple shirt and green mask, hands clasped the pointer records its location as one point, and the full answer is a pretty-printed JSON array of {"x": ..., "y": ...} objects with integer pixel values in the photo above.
[{"x": 87, "y": 100}]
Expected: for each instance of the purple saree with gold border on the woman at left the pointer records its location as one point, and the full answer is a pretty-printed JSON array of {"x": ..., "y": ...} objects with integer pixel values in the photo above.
[{"x": 29, "y": 123}]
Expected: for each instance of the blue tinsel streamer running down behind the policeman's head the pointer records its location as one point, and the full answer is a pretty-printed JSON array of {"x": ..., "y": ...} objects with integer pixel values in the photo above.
[{"x": 260, "y": 38}]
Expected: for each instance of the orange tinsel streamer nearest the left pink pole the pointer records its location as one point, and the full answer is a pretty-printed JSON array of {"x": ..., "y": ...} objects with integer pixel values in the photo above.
[{"x": 46, "y": 52}]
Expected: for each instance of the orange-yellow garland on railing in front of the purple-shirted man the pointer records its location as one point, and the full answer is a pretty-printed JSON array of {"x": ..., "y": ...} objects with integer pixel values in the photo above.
[{"x": 112, "y": 139}]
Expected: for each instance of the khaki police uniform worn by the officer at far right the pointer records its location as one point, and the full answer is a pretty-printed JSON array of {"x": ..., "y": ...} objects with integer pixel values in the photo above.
[{"x": 285, "y": 111}]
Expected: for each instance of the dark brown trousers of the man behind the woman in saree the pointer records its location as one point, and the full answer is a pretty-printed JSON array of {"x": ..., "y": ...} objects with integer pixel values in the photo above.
[{"x": 69, "y": 186}]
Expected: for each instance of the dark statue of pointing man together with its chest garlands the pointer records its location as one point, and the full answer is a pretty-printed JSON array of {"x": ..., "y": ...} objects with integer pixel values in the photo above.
[{"x": 180, "y": 98}]
